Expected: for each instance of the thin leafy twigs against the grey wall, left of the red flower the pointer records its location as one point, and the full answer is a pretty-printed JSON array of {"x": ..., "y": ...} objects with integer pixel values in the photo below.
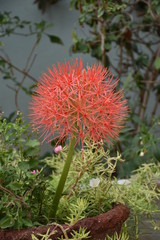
[{"x": 13, "y": 25}]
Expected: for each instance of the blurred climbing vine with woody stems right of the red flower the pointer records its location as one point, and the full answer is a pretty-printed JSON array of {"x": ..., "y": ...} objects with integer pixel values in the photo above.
[{"x": 124, "y": 36}]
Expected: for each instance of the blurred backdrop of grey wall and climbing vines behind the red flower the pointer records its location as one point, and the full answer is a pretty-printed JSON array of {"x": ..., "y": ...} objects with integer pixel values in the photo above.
[{"x": 123, "y": 35}]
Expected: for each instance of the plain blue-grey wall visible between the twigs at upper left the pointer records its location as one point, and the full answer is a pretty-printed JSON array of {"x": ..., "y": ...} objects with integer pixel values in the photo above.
[{"x": 47, "y": 53}]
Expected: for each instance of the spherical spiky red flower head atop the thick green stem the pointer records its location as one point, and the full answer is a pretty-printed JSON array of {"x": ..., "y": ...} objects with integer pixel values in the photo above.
[{"x": 70, "y": 100}]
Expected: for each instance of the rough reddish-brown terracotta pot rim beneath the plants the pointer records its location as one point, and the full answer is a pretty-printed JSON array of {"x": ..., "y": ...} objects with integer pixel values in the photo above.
[{"x": 104, "y": 224}]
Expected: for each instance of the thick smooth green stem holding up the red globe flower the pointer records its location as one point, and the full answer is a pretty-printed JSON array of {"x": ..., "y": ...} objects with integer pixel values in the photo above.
[{"x": 63, "y": 178}]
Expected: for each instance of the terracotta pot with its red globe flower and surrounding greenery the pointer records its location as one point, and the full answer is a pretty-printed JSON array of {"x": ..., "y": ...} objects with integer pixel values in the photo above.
[{"x": 83, "y": 106}]
